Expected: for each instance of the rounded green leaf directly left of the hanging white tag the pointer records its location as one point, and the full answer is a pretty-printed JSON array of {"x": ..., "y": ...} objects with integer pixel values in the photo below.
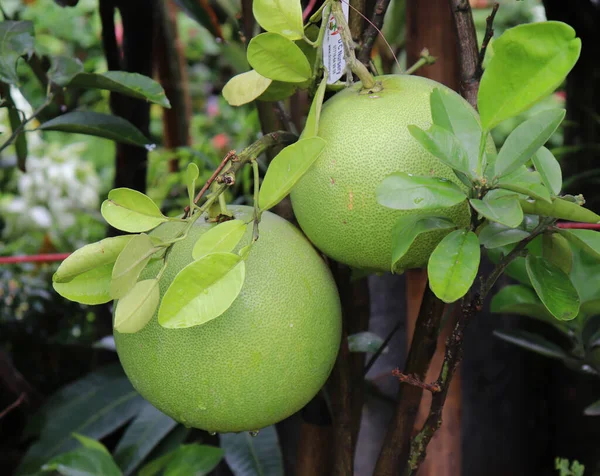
[{"x": 275, "y": 57}]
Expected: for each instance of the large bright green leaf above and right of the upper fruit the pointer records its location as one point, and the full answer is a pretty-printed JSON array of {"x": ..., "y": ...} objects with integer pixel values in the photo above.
[{"x": 530, "y": 61}]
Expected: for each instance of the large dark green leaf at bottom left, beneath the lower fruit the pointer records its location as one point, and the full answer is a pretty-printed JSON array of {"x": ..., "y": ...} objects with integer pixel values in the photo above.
[{"x": 95, "y": 406}]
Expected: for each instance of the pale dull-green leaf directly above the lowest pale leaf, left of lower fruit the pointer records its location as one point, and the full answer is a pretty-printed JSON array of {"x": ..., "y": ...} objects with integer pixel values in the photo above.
[{"x": 130, "y": 263}]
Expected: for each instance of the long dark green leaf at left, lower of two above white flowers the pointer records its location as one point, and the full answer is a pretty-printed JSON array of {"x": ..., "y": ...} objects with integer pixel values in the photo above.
[{"x": 97, "y": 124}]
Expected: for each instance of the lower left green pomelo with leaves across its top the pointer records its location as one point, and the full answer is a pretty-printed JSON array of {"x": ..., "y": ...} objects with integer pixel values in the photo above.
[{"x": 260, "y": 361}]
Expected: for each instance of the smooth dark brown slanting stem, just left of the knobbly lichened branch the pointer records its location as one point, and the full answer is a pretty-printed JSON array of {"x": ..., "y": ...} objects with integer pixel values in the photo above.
[{"x": 397, "y": 441}]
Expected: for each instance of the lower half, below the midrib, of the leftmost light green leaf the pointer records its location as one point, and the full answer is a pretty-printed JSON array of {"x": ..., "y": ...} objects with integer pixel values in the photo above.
[{"x": 91, "y": 287}]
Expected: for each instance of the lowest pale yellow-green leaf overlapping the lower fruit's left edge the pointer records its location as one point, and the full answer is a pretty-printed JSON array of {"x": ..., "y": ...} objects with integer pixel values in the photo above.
[{"x": 137, "y": 307}]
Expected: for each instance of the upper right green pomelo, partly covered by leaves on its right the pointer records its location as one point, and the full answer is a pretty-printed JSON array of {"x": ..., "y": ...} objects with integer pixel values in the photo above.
[{"x": 367, "y": 139}]
